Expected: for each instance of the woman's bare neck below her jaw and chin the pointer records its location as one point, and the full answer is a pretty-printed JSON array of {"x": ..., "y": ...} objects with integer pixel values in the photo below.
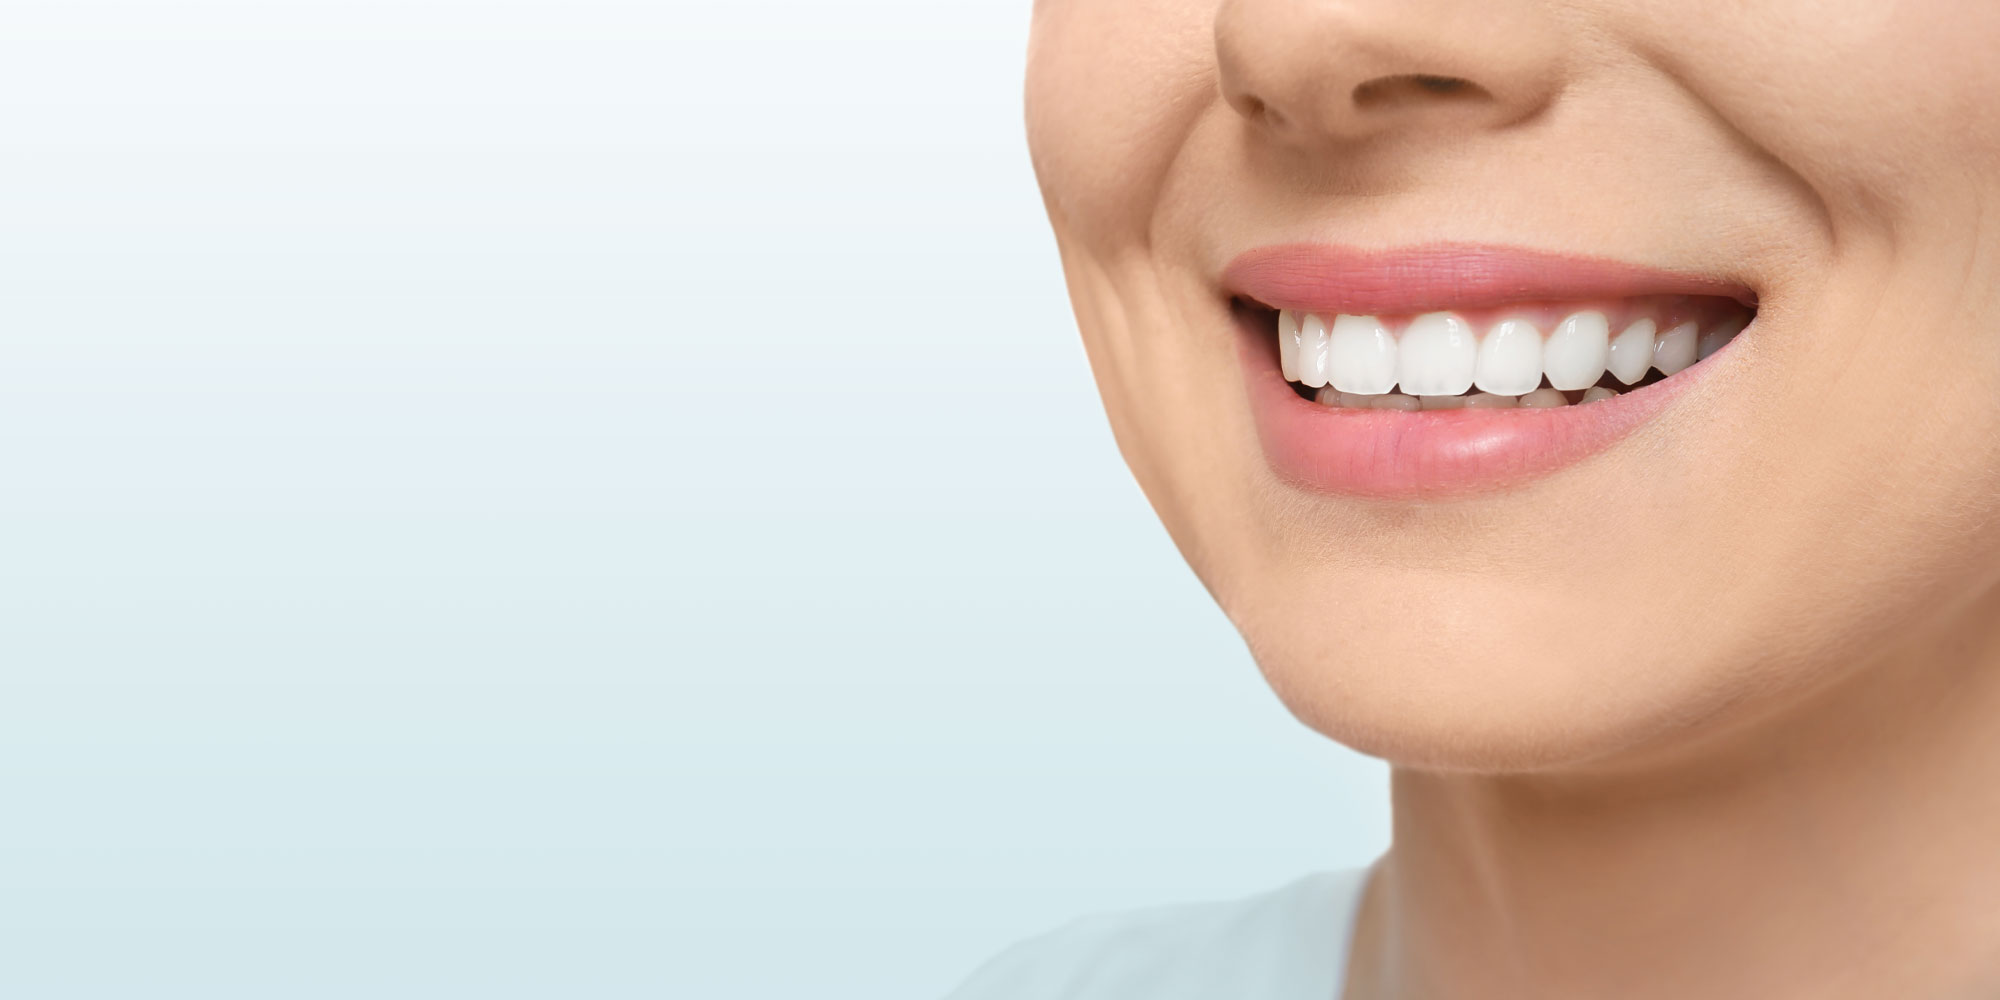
[{"x": 1841, "y": 849}]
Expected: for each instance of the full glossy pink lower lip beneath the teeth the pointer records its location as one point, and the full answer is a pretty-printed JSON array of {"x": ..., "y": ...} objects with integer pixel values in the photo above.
[{"x": 1413, "y": 455}]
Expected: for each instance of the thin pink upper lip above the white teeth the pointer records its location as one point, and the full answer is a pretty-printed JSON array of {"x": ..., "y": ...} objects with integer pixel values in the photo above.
[{"x": 1443, "y": 277}]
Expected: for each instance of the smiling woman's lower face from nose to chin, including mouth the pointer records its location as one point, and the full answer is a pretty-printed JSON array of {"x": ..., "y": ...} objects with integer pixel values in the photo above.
[{"x": 1529, "y": 587}]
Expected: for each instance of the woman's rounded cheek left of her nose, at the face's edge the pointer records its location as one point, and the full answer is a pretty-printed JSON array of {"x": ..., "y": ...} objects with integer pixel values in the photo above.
[{"x": 1113, "y": 91}]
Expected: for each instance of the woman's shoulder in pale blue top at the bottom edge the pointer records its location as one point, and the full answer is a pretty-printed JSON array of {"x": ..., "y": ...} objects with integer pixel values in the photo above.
[{"x": 1275, "y": 945}]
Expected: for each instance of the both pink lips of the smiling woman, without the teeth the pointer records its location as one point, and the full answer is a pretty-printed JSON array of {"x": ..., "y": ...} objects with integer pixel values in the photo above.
[{"x": 1399, "y": 455}]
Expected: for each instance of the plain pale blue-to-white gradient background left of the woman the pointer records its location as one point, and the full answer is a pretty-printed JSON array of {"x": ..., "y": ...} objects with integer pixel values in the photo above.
[{"x": 583, "y": 501}]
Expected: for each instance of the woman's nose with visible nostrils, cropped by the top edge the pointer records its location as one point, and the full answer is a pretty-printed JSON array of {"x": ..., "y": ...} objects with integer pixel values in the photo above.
[{"x": 1347, "y": 71}]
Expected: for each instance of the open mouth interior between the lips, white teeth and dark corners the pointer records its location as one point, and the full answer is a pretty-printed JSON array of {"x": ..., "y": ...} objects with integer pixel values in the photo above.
[{"x": 1527, "y": 355}]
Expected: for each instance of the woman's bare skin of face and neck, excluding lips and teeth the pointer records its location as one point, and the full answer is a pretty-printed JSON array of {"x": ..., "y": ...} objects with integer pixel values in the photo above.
[{"x": 1715, "y": 713}]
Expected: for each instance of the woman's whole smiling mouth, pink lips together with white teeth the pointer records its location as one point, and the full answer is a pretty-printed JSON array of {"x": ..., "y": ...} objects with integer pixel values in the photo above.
[{"x": 1451, "y": 371}]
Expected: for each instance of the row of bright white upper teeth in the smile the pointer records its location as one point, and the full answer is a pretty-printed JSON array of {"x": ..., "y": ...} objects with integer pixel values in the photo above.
[{"x": 1441, "y": 353}]
